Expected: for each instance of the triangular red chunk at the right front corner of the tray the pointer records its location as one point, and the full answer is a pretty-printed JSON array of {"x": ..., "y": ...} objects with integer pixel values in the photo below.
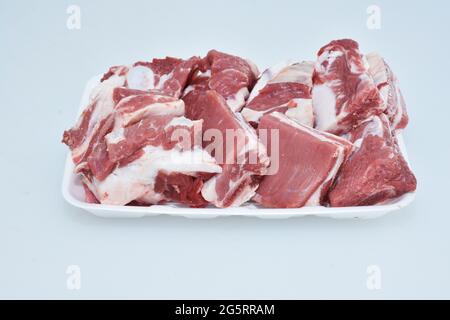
[{"x": 376, "y": 171}]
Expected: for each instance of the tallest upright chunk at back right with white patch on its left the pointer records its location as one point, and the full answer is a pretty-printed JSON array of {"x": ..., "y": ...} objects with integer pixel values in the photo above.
[{"x": 344, "y": 93}]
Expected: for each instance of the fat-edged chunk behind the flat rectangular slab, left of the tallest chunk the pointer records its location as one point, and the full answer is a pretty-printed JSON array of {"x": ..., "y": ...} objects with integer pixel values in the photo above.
[{"x": 285, "y": 88}]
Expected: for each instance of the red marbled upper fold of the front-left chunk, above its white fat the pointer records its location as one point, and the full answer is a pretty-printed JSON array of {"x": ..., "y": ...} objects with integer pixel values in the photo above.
[{"x": 135, "y": 122}]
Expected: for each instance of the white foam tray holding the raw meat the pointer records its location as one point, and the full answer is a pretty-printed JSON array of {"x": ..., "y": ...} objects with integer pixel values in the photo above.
[{"x": 73, "y": 193}]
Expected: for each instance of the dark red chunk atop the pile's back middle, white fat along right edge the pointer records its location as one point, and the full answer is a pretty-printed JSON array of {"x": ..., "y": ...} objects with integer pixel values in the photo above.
[{"x": 230, "y": 76}]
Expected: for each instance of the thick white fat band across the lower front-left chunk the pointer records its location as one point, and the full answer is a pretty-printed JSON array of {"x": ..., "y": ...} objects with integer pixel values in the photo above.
[{"x": 137, "y": 179}]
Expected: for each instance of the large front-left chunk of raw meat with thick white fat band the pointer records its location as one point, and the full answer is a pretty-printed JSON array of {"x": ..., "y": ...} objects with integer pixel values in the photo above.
[{"x": 145, "y": 160}]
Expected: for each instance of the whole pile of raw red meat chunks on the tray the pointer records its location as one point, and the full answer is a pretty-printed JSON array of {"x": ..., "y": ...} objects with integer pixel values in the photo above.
[{"x": 213, "y": 131}]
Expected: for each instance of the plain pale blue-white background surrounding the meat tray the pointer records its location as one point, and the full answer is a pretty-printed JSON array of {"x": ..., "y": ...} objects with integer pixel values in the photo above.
[{"x": 44, "y": 67}]
